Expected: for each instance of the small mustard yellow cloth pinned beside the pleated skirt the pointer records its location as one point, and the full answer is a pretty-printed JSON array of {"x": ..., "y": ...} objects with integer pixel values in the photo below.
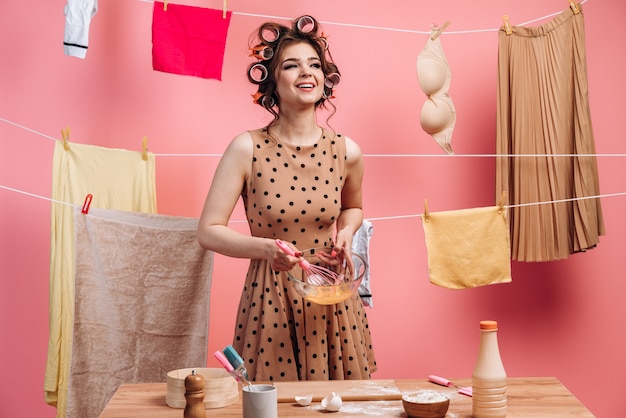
[{"x": 468, "y": 247}]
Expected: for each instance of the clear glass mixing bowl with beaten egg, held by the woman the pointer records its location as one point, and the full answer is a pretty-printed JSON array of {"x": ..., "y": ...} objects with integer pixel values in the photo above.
[{"x": 350, "y": 272}]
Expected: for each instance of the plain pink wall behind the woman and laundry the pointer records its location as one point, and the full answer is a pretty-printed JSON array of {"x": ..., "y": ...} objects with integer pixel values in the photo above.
[{"x": 562, "y": 319}]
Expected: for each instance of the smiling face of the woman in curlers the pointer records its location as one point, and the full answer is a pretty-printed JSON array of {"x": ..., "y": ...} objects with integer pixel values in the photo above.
[{"x": 299, "y": 76}]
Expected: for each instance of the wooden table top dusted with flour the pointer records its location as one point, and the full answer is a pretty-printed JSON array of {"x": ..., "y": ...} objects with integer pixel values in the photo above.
[{"x": 527, "y": 397}]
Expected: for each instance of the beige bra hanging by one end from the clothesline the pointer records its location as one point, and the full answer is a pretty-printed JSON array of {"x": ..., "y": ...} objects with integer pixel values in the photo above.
[{"x": 438, "y": 114}]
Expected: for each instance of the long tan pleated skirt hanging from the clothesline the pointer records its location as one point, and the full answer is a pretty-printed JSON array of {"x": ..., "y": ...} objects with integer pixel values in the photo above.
[{"x": 543, "y": 109}]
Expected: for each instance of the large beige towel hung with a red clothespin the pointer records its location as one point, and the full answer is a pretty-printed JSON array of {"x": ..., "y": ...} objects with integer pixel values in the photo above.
[{"x": 141, "y": 303}]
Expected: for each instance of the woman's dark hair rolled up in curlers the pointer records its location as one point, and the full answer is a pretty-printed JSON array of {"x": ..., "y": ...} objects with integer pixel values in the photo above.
[{"x": 268, "y": 42}]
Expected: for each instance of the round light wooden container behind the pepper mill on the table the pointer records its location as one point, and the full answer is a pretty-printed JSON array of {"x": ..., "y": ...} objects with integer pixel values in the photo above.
[{"x": 220, "y": 388}]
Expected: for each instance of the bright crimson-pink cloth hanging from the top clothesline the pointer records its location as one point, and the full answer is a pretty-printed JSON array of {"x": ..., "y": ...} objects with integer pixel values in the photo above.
[{"x": 189, "y": 40}]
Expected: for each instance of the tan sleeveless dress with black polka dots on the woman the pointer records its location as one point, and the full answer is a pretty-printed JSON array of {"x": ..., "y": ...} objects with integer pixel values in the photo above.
[{"x": 294, "y": 194}]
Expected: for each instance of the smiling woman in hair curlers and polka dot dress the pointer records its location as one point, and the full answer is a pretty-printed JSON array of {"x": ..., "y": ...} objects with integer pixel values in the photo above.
[{"x": 300, "y": 183}]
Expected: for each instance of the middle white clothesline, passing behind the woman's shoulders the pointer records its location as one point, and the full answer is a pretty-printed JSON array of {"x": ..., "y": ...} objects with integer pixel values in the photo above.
[{"x": 218, "y": 155}]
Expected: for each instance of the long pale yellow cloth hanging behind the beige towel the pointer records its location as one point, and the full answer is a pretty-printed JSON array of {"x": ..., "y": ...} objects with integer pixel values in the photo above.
[{"x": 117, "y": 179}]
